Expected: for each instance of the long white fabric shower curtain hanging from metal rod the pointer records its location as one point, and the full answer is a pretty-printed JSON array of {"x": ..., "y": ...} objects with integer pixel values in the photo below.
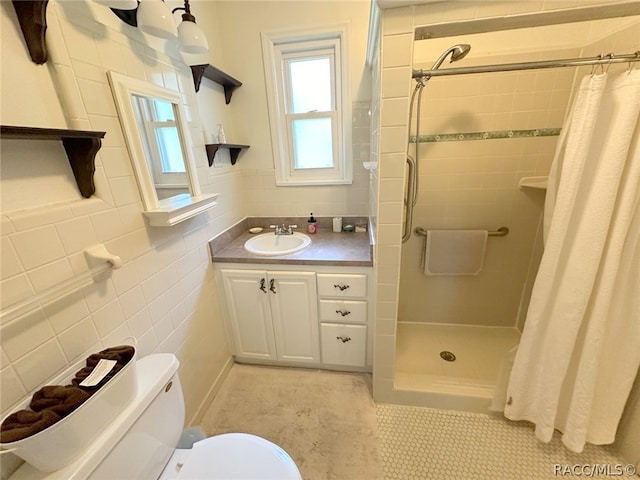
[{"x": 580, "y": 348}]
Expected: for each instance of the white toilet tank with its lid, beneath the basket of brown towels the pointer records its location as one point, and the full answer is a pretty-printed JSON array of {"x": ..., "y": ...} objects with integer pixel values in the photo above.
[{"x": 143, "y": 437}]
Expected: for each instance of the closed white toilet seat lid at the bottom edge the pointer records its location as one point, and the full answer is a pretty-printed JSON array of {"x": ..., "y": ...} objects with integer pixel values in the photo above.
[{"x": 234, "y": 456}]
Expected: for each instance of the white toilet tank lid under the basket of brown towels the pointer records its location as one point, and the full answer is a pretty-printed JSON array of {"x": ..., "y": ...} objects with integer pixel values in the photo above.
[{"x": 152, "y": 373}]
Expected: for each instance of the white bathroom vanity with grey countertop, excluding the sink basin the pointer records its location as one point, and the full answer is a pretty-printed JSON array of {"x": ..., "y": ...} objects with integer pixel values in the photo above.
[{"x": 312, "y": 308}]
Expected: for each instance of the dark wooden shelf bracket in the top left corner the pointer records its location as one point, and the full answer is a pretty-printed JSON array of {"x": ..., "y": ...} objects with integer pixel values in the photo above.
[{"x": 32, "y": 16}]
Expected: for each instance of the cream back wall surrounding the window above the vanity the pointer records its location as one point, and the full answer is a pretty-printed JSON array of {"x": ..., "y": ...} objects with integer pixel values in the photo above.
[{"x": 240, "y": 26}]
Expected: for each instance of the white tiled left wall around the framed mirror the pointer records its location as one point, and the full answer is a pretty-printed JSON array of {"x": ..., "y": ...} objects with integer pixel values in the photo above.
[{"x": 165, "y": 294}]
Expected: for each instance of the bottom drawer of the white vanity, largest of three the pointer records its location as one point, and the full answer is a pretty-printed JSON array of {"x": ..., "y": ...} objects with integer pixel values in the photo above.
[{"x": 344, "y": 344}]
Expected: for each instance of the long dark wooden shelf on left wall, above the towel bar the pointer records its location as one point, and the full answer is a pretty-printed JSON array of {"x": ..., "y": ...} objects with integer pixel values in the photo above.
[{"x": 81, "y": 147}]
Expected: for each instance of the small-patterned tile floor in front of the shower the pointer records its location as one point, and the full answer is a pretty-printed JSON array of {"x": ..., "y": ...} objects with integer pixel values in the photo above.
[{"x": 429, "y": 444}]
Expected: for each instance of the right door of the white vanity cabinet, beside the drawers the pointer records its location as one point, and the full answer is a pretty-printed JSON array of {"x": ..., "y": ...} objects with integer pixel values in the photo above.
[{"x": 295, "y": 315}]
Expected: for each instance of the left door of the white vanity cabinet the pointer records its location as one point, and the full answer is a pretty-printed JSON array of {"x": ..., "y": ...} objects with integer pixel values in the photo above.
[{"x": 250, "y": 314}]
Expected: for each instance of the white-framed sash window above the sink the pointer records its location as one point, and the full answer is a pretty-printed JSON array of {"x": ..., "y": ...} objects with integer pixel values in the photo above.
[{"x": 309, "y": 107}]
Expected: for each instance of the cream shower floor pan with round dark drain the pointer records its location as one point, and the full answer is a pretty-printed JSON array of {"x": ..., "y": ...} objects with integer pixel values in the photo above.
[{"x": 426, "y": 372}]
